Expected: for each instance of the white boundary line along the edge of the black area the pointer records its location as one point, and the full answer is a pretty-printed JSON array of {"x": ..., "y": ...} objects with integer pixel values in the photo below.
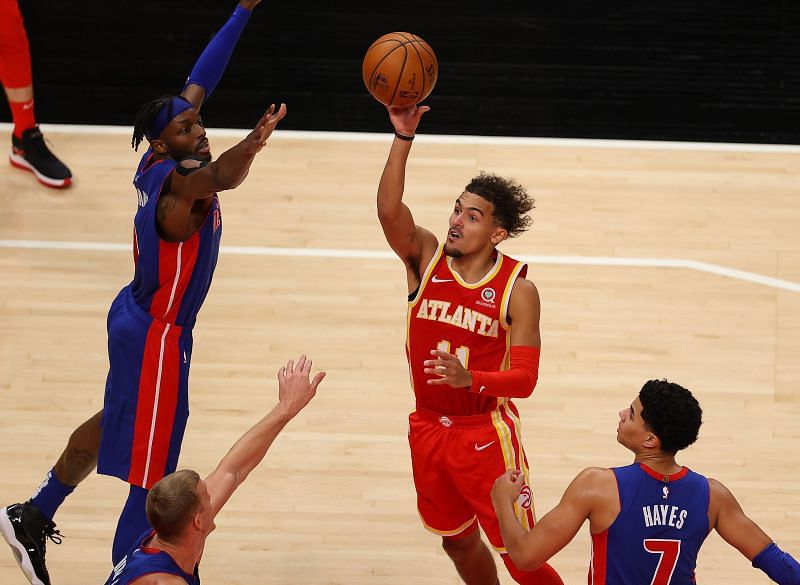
[{"x": 449, "y": 139}]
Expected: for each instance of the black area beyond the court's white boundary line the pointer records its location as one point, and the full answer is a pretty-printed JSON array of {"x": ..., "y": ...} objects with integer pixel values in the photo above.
[{"x": 723, "y": 70}]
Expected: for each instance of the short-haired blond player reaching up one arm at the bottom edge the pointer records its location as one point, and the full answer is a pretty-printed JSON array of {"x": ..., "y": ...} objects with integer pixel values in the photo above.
[{"x": 182, "y": 507}]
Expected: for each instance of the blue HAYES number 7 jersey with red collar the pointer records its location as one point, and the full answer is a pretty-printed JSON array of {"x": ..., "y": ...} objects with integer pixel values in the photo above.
[{"x": 655, "y": 539}]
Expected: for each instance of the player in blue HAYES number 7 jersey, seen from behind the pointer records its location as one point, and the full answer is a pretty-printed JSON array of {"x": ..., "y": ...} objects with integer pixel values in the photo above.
[{"x": 648, "y": 520}]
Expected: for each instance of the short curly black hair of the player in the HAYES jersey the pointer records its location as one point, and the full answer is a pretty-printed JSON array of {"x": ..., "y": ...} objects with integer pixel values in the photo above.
[{"x": 672, "y": 413}]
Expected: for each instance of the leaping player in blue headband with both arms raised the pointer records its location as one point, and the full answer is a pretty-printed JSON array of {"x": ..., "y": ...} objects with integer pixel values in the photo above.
[{"x": 177, "y": 228}]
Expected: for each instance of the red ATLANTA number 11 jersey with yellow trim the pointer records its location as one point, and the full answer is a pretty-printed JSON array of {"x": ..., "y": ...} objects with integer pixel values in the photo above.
[{"x": 469, "y": 320}]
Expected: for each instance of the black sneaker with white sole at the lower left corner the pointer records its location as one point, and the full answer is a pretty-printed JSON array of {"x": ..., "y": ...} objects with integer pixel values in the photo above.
[{"x": 25, "y": 529}]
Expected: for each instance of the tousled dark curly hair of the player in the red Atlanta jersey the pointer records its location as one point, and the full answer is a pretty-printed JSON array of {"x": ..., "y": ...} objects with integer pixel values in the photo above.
[{"x": 510, "y": 199}]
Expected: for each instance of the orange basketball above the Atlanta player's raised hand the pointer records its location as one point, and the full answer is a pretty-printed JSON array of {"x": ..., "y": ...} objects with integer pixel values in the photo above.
[{"x": 400, "y": 69}]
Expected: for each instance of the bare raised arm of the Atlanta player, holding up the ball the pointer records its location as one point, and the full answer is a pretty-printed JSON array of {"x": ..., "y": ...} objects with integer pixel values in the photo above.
[{"x": 409, "y": 241}]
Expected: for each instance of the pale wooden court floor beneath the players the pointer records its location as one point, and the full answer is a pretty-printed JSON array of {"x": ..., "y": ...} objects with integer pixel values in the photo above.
[{"x": 628, "y": 251}]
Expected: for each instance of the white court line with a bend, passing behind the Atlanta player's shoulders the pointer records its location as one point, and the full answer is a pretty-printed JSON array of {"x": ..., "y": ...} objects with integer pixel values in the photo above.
[{"x": 386, "y": 254}]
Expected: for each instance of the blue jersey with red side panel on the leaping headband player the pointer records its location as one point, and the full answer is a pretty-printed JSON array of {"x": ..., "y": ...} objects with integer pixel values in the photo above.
[{"x": 171, "y": 279}]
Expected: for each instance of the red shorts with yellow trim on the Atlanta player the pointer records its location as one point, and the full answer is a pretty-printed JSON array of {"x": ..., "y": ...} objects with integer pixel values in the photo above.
[{"x": 456, "y": 460}]
